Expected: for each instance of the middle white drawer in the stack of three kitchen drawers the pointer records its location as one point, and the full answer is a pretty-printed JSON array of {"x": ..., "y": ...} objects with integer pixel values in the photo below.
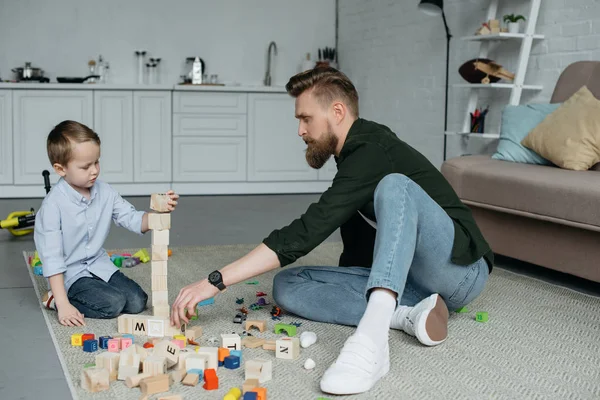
[{"x": 209, "y": 125}]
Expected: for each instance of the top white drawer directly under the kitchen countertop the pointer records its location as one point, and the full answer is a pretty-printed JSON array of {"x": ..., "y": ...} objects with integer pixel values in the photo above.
[{"x": 212, "y": 102}]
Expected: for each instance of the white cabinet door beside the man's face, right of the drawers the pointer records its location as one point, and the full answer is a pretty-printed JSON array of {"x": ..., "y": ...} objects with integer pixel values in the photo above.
[{"x": 275, "y": 151}]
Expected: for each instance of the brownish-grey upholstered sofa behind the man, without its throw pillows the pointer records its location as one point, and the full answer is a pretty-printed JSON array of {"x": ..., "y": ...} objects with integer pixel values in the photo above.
[{"x": 541, "y": 214}]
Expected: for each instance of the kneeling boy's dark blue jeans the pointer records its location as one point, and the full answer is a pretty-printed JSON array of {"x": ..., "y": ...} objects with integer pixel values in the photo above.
[{"x": 95, "y": 298}]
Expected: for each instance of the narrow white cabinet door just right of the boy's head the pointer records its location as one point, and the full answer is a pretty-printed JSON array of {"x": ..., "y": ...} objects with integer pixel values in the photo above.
[{"x": 113, "y": 121}]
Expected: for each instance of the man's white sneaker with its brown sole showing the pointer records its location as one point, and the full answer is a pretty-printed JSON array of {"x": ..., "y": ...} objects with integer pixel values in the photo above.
[{"x": 427, "y": 321}]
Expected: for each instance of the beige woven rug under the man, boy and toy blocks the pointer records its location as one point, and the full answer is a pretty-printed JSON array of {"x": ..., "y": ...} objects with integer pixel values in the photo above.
[{"x": 541, "y": 341}]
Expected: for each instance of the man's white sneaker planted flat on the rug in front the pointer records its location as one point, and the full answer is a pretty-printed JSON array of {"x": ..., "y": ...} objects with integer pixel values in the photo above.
[{"x": 358, "y": 367}]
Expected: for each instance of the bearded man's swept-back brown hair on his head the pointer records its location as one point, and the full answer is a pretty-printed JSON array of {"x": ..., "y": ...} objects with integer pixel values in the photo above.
[{"x": 328, "y": 84}]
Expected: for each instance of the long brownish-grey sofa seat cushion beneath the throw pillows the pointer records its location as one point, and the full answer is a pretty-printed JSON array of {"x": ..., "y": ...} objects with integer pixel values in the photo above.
[{"x": 571, "y": 196}]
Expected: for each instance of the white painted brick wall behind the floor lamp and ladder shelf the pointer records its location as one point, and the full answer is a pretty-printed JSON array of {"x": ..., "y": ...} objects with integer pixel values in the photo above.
[{"x": 396, "y": 56}]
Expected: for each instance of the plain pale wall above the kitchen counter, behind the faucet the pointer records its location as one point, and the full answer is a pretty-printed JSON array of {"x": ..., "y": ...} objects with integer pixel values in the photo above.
[{"x": 231, "y": 36}]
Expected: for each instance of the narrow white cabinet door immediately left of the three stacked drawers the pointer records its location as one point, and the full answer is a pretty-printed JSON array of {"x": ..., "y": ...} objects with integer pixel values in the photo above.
[{"x": 152, "y": 136}]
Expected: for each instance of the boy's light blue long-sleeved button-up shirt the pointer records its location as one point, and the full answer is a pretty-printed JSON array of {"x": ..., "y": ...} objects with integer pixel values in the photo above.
[{"x": 70, "y": 230}]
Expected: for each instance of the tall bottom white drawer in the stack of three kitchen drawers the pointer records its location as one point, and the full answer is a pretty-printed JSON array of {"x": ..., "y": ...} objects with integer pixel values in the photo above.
[{"x": 209, "y": 159}]
